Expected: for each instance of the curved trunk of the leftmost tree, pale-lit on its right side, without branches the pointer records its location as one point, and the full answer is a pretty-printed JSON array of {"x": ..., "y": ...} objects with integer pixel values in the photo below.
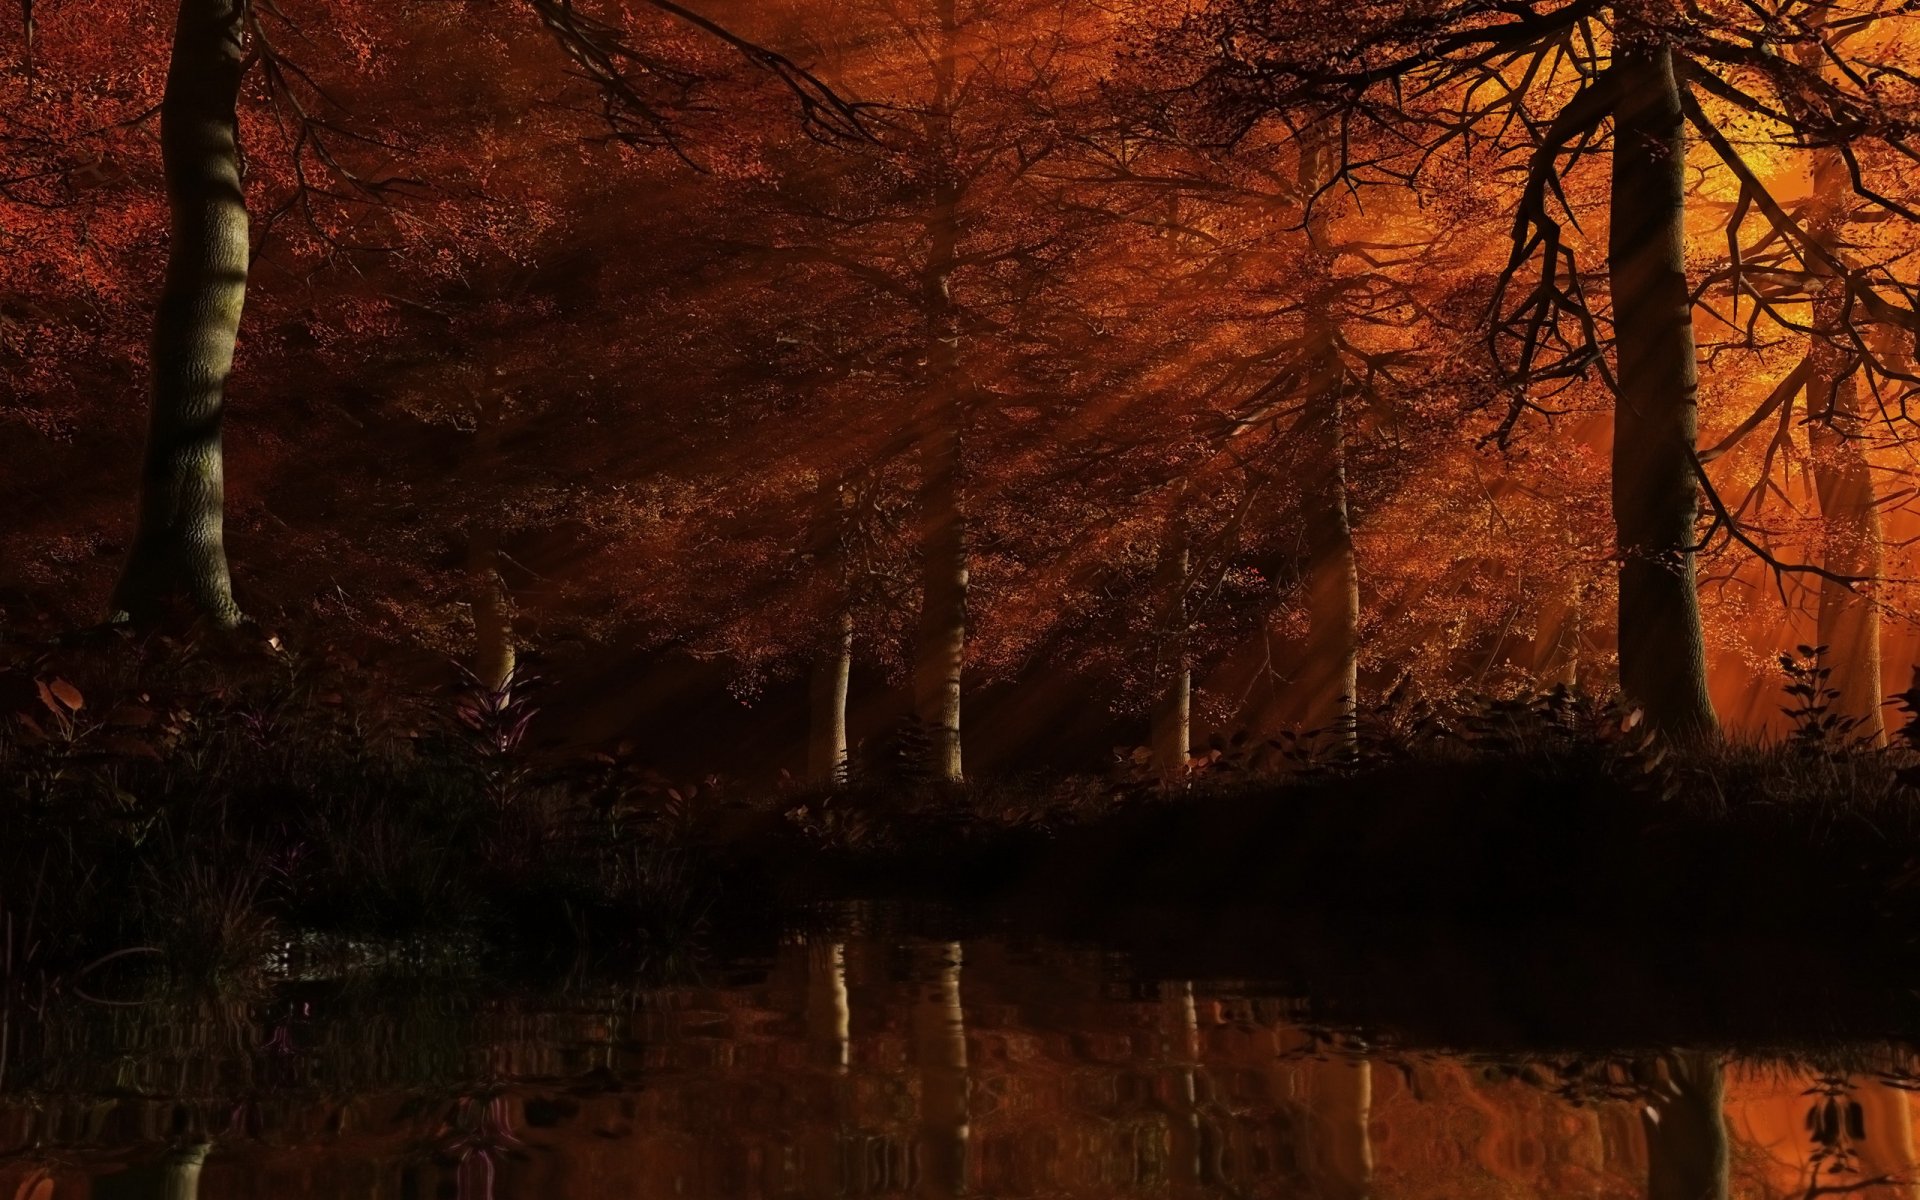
[{"x": 178, "y": 548}]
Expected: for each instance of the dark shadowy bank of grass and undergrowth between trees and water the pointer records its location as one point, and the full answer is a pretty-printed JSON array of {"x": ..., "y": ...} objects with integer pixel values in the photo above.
[{"x": 1502, "y": 871}]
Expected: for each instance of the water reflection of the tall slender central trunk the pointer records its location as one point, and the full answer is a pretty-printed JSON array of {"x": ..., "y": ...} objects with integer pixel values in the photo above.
[{"x": 940, "y": 1051}]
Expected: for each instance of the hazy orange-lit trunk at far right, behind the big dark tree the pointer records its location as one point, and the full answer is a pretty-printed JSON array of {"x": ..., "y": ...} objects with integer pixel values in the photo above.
[{"x": 1850, "y": 619}]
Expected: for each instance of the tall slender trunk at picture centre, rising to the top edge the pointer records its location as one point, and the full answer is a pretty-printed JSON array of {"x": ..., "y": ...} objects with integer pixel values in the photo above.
[{"x": 944, "y": 554}]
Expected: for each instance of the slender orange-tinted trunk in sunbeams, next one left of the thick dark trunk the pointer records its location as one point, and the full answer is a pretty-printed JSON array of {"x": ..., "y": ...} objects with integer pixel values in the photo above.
[{"x": 1332, "y": 671}]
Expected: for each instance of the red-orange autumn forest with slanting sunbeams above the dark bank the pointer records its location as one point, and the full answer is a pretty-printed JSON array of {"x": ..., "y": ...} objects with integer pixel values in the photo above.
[{"x": 633, "y": 410}]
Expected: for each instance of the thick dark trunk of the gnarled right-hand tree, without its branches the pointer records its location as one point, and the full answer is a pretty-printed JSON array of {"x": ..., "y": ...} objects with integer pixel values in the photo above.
[{"x": 1656, "y": 496}]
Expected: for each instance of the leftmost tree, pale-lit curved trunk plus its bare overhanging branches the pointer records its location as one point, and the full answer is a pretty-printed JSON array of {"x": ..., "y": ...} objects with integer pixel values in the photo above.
[{"x": 180, "y": 544}]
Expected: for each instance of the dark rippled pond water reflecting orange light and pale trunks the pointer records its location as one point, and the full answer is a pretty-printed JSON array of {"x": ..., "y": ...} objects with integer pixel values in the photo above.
[{"x": 903, "y": 1067}]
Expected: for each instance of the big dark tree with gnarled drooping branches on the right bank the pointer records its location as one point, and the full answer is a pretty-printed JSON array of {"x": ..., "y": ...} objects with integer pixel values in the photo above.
[{"x": 1554, "y": 76}]
